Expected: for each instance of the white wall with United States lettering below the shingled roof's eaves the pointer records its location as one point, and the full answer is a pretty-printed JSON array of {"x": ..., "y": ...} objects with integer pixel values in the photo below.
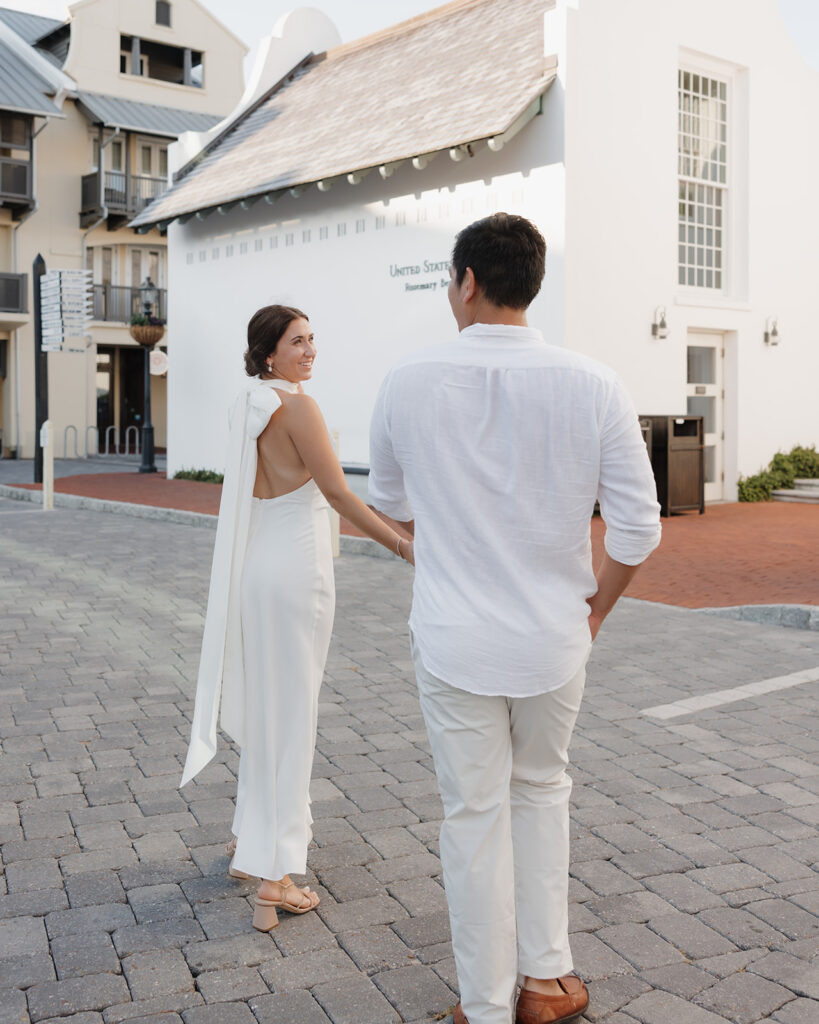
[{"x": 364, "y": 317}]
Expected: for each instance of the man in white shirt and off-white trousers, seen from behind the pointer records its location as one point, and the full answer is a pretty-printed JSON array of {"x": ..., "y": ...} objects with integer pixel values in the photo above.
[{"x": 492, "y": 451}]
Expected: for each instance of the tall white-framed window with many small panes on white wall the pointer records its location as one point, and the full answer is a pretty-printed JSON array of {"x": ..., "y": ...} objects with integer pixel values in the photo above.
[{"x": 703, "y": 173}]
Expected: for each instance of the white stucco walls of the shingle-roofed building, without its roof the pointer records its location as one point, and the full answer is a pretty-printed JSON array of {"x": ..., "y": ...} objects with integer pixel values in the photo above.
[{"x": 597, "y": 170}]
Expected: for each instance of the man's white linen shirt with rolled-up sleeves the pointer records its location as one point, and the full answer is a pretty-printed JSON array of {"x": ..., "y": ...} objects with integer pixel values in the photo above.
[{"x": 498, "y": 445}]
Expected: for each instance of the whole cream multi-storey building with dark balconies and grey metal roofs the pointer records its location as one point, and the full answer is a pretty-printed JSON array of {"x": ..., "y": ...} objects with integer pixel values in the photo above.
[{"x": 89, "y": 108}]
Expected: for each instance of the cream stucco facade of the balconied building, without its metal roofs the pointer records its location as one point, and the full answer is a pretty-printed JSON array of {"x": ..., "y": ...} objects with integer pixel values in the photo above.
[{"x": 69, "y": 234}]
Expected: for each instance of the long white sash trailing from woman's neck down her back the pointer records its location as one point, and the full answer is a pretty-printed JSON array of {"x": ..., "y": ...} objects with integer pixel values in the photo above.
[{"x": 222, "y": 675}]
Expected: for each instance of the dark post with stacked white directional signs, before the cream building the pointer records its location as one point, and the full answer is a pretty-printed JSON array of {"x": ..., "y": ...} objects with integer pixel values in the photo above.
[{"x": 63, "y": 311}]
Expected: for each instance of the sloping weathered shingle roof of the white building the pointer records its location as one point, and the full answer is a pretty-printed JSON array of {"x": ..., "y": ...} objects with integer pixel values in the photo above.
[{"x": 460, "y": 74}]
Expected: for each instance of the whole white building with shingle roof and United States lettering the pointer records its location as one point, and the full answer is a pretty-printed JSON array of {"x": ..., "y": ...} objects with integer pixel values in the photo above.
[{"x": 666, "y": 150}]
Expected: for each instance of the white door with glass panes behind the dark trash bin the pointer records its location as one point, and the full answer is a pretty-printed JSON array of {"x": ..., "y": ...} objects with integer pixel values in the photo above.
[{"x": 706, "y": 398}]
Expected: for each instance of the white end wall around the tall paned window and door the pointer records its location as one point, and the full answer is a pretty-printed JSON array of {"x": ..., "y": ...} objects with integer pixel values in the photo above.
[{"x": 622, "y": 211}]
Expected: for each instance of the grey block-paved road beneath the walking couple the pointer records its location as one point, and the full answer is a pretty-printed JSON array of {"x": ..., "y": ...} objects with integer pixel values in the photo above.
[{"x": 696, "y": 899}]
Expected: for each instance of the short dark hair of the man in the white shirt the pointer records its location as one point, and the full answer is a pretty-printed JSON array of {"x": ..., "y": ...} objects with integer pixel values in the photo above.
[{"x": 507, "y": 254}]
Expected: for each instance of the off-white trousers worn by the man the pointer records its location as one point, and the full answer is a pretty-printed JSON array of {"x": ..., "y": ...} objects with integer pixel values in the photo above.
[{"x": 505, "y": 841}]
